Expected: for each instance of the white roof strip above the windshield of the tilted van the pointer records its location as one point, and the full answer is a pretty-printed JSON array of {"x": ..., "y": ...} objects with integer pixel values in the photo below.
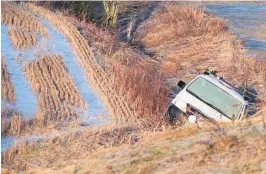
[{"x": 220, "y": 84}]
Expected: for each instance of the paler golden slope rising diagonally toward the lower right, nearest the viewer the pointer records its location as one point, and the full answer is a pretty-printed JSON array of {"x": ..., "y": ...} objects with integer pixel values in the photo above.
[{"x": 236, "y": 148}]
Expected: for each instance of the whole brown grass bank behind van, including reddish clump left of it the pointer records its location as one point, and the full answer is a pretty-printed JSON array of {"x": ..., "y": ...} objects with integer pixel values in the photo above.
[{"x": 182, "y": 40}]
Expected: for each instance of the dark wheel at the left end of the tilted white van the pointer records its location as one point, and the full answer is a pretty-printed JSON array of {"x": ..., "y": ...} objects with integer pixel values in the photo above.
[{"x": 175, "y": 116}]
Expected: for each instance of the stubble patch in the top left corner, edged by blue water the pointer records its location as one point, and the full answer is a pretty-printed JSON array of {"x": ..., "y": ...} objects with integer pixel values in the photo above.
[{"x": 23, "y": 26}]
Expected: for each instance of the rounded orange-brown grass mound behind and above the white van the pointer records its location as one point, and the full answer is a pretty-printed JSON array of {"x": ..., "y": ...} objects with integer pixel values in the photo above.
[{"x": 194, "y": 39}]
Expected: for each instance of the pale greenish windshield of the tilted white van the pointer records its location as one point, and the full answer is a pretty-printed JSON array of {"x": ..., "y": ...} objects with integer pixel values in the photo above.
[{"x": 215, "y": 97}]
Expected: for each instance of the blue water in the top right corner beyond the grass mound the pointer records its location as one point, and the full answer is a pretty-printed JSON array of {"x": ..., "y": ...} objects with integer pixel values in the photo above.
[{"x": 247, "y": 21}]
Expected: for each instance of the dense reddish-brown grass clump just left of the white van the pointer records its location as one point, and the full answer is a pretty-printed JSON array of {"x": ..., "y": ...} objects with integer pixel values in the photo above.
[{"x": 144, "y": 87}]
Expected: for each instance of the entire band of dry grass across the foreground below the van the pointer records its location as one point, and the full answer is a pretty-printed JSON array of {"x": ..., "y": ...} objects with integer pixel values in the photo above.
[{"x": 128, "y": 149}]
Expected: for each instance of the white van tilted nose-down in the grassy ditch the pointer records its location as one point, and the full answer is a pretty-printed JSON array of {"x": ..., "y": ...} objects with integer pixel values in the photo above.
[{"x": 207, "y": 96}]
